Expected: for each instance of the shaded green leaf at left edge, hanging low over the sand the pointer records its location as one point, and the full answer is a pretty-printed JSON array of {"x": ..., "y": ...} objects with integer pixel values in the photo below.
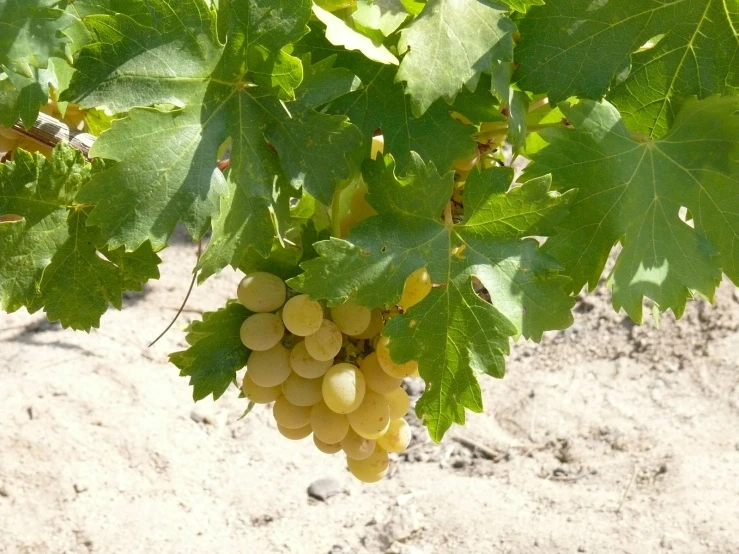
[{"x": 49, "y": 257}]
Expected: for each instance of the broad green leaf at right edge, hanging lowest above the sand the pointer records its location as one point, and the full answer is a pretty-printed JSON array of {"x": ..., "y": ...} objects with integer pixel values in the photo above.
[{"x": 632, "y": 191}]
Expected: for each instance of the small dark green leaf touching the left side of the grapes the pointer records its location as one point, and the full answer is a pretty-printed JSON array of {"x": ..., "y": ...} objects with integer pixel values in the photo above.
[{"x": 216, "y": 352}]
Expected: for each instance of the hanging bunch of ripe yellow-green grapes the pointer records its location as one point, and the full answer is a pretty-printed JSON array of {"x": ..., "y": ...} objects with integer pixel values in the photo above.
[{"x": 328, "y": 371}]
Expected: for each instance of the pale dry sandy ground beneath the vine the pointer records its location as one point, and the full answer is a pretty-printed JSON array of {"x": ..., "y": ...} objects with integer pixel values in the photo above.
[{"x": 606, "y": 438}]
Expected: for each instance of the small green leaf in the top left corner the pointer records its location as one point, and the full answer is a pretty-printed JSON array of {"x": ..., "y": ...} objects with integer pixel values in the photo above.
[{"x": 30, "y": 33}]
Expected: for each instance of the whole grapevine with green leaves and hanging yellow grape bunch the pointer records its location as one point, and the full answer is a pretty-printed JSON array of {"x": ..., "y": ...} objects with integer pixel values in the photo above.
[{"x": 406, "y": 185}]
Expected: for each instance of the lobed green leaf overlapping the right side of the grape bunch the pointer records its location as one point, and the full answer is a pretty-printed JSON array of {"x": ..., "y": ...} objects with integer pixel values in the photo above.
[{"x": 452, "y": 333}]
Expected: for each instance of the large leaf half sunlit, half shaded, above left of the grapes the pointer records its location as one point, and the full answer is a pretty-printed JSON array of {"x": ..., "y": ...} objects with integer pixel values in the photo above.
[{"x": 186, "y": 95}]
